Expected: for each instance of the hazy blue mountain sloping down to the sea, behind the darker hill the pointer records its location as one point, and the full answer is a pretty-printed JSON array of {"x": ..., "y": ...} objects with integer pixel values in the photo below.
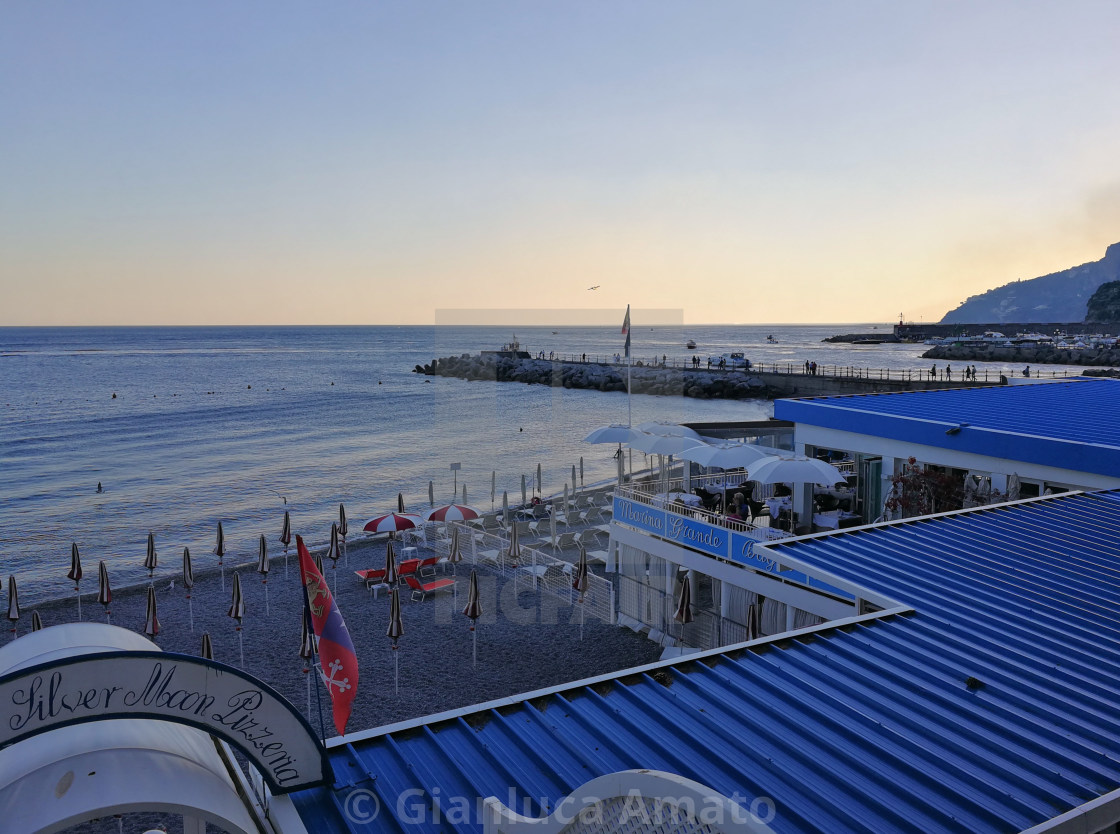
[{"x": 1059, "y": 297}]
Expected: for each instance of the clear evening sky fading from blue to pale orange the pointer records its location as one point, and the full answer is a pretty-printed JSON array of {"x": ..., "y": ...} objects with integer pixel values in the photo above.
[{"x": 377, "y": 163}]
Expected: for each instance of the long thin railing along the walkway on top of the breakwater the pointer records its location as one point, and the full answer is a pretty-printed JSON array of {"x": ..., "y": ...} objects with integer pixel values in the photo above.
[{"x": 792, "y": 369}]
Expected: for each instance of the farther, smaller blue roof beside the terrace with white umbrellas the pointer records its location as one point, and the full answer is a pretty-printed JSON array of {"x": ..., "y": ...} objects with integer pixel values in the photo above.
[{"x": 1043, "y": 424}]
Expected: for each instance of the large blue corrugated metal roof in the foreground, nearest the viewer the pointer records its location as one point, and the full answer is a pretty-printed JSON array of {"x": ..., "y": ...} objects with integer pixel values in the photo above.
[{"x": 871, "y": 727}]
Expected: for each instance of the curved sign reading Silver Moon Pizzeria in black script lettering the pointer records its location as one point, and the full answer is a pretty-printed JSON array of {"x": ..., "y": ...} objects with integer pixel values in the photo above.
[{"x": 164, "y": 687}]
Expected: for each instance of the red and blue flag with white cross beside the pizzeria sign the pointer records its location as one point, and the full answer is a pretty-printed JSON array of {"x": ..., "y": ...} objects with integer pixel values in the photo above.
[{"x": 338, "y": 659}]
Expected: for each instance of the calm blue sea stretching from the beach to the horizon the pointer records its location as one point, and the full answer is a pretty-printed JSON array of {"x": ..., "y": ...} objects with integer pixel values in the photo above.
[{"x": 186, "y": 427}]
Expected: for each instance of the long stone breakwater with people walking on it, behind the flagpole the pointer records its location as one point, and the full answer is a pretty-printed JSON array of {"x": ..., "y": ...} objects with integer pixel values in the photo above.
[{"x": 694, "y": 382}]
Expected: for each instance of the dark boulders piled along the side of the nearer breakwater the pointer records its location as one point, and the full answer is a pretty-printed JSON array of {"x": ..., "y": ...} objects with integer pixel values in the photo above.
[{"x": 699, "y": 383}]
